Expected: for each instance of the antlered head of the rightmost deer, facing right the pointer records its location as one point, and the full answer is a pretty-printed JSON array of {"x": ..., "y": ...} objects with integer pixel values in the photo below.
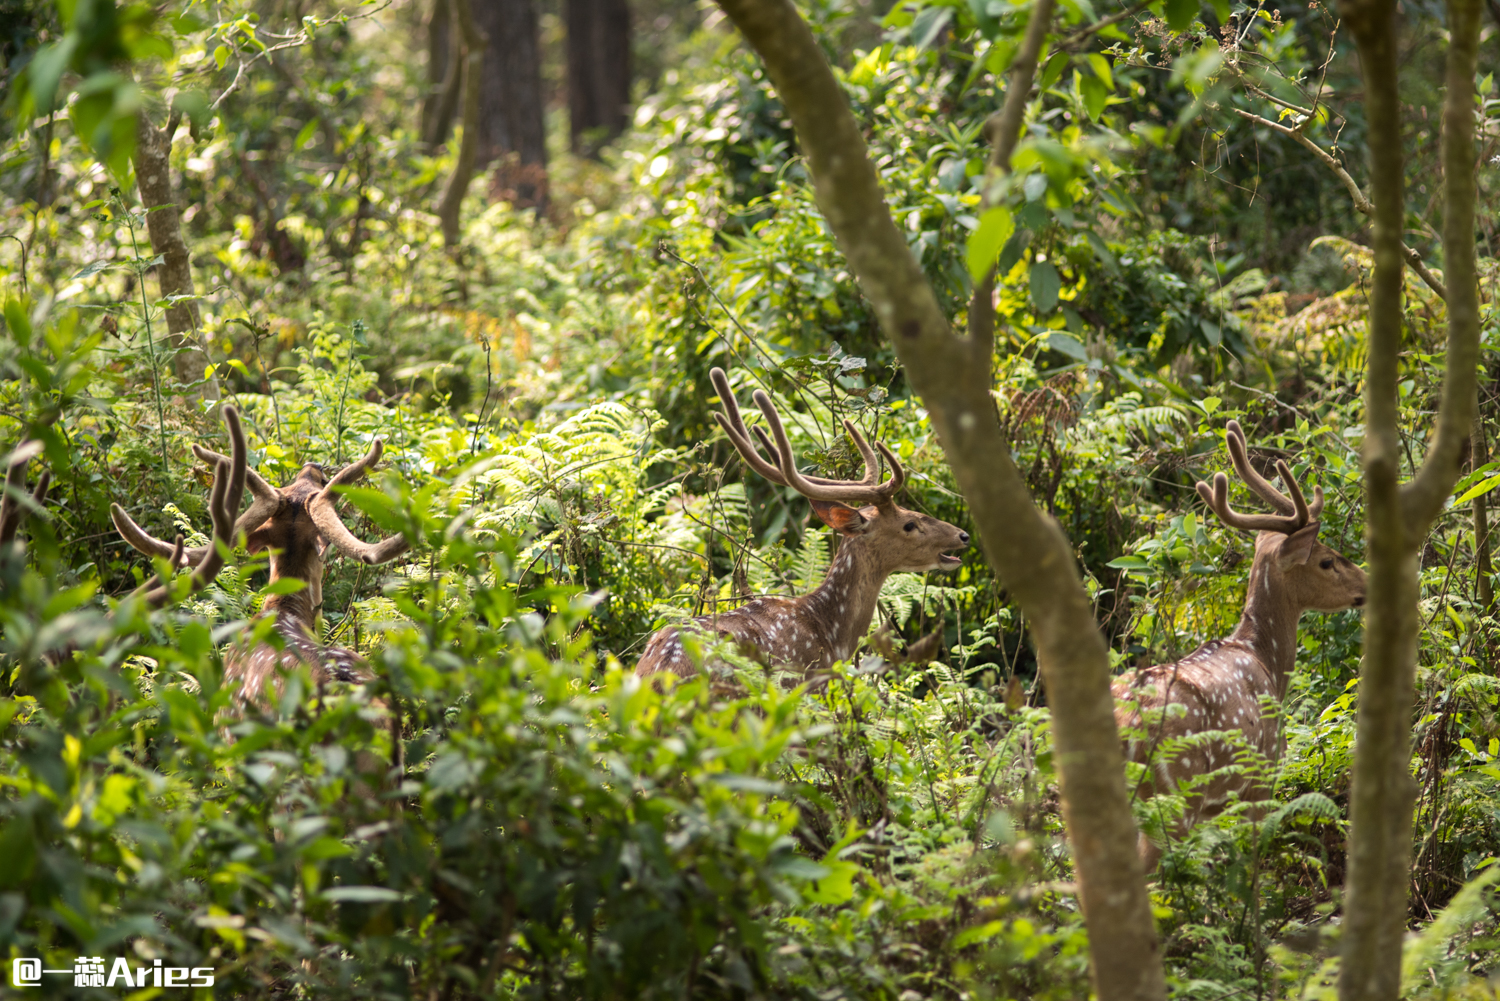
[{"x": 1292, "y": 561}]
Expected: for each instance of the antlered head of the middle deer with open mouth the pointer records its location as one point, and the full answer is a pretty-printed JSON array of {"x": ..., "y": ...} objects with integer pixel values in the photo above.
[{"x": 898, "y": 540}]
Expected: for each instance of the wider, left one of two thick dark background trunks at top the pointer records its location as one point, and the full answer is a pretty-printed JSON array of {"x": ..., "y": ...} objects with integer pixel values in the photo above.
[{"x": 512, "y": 128}]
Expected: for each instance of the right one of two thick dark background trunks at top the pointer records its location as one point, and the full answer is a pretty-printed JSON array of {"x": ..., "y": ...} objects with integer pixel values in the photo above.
[{"x": 598, "y": 73}]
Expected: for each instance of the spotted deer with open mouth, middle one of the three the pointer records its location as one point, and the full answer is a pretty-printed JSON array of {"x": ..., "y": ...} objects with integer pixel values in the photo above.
[{"x": 877, "y": 540}]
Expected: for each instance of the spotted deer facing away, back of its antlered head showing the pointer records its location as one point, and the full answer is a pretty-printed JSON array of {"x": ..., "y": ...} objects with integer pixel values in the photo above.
[{"x": 296, "y": 525}]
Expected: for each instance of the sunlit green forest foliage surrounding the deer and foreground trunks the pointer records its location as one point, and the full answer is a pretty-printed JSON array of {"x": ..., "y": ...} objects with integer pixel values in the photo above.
[{"x": 521, "y": 287}]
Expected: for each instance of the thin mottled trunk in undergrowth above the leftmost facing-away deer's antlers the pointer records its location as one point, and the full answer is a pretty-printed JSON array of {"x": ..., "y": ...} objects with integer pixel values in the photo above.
[{"x": 154, "y": 181}]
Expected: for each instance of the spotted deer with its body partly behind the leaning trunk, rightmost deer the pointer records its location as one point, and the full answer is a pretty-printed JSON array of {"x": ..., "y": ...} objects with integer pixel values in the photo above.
[{"x": 1226, "y": 684}]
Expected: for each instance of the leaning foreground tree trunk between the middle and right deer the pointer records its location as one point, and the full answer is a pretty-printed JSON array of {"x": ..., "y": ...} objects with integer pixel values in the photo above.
[{"x": 953, "y": 376}]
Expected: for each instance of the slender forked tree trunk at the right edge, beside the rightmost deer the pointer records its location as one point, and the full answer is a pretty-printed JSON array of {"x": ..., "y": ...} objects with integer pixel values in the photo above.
[{"x": 1399, "y": 516}]
